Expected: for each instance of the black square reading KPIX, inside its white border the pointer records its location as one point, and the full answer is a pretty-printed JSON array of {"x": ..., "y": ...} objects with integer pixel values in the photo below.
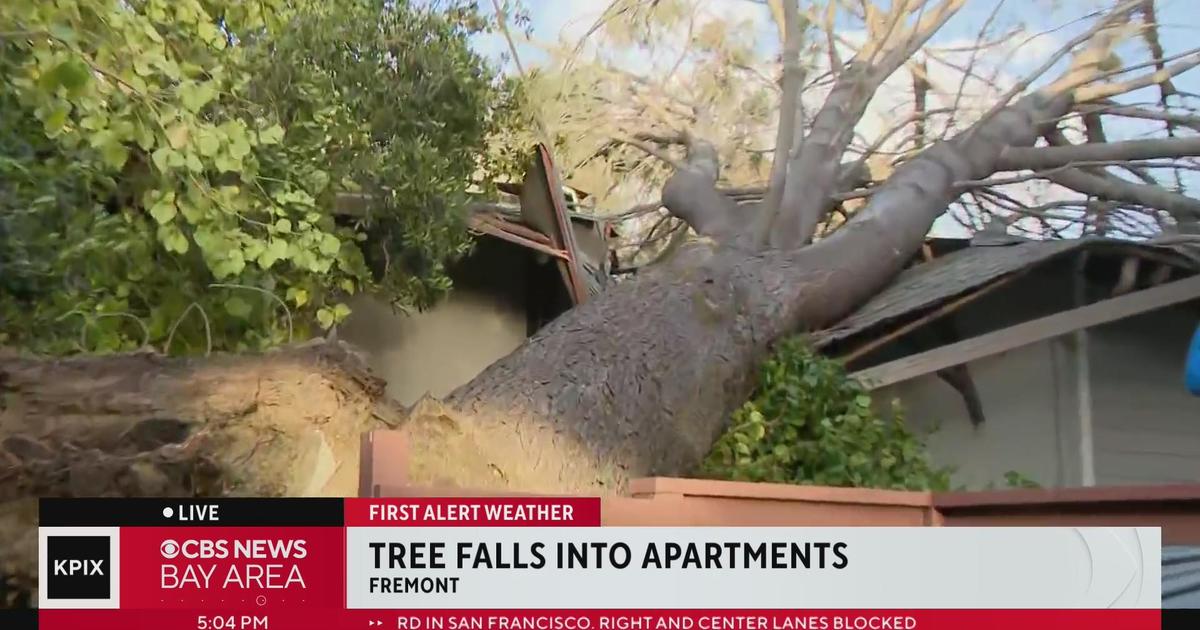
[{"x": 80, "y": 567}]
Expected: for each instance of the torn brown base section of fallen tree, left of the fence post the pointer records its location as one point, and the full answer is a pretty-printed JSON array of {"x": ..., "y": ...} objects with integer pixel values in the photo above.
[{"x": 286, "y": 423}]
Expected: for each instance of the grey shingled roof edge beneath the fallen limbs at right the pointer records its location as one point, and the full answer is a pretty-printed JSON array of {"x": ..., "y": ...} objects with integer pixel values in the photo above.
[{"x": 959, "y": 273}]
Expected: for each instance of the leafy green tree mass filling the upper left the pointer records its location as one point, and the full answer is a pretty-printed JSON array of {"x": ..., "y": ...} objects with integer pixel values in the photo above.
[{"x": 173, "y": 170}]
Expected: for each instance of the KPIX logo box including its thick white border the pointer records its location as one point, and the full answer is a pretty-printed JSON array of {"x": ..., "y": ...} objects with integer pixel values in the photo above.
[{"x": 79, "y": 568}]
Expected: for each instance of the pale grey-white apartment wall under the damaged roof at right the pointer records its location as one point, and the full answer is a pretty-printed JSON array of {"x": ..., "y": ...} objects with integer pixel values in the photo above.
[{"x": 1147, "y": 425}]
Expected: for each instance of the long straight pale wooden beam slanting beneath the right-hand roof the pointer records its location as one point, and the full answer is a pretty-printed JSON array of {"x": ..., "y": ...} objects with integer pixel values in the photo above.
[{"x": 1030, "y": 333}]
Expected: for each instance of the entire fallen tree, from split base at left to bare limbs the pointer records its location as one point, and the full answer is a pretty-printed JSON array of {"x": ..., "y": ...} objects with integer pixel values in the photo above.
[{"x": 640, "y": 381}]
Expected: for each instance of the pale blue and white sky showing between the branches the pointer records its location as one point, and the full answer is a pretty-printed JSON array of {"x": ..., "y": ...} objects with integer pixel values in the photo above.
[{"x": 1180, "y": 32}]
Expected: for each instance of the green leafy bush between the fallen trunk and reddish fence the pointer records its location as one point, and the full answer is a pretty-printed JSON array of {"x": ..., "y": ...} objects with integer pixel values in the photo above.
[{"x": 808, "y": 423}]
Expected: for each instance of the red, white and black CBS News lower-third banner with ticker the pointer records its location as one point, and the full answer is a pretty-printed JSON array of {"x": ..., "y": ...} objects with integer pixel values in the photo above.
[{"x": 547, "y": 565}]
